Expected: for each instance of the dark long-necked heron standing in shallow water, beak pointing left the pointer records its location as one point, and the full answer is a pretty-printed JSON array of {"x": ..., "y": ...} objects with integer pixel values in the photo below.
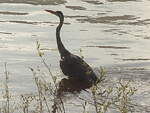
[{"x": 72, "y": 65}]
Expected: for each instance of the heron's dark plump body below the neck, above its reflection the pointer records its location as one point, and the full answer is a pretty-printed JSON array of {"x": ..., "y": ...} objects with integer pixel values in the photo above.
[{"x": 74, "y": 66}]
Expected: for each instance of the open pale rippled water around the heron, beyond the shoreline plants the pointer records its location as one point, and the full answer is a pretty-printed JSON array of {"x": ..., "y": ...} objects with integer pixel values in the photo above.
[{"x": 113, "y": 34}]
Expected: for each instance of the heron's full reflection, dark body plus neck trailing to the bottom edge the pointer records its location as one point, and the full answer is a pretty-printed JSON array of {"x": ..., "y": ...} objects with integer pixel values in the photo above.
[{"x": 69, "y": 86}]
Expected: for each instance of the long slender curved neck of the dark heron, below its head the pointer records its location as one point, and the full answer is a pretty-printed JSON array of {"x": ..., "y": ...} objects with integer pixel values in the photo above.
[{"x": 61, "y": 48}]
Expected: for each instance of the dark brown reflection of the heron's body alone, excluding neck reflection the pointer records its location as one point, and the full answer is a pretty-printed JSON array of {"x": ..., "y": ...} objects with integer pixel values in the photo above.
[{"x": 72, "y": 85}]
